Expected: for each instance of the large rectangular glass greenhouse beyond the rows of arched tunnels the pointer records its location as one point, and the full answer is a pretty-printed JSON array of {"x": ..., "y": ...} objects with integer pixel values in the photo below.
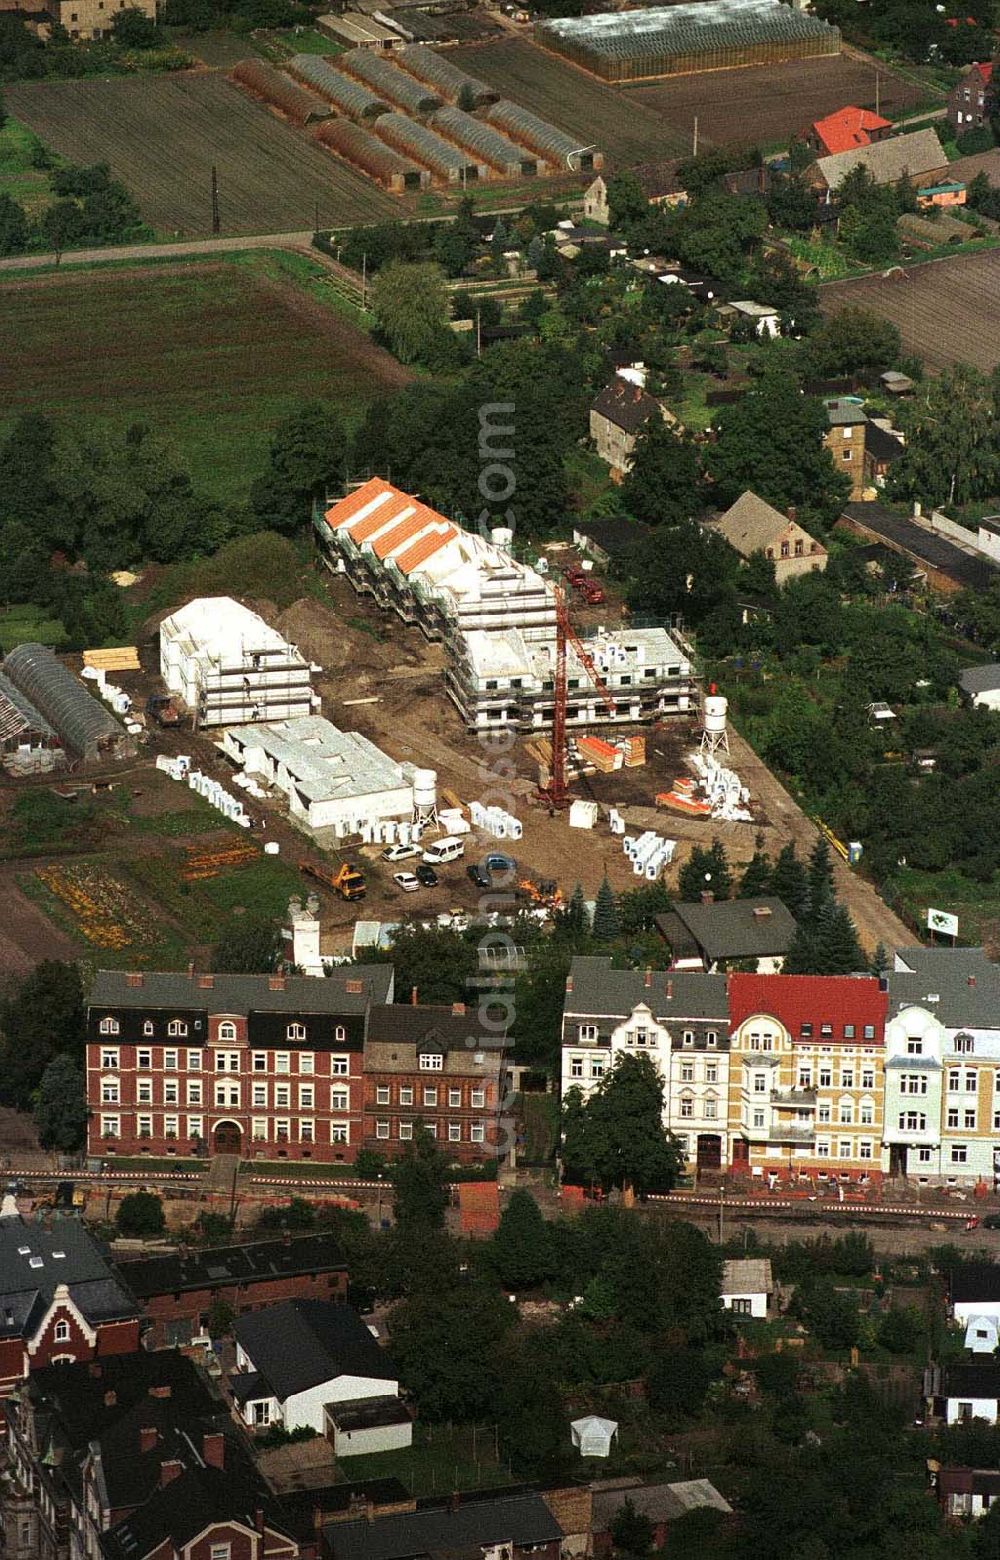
[{"x": 707, "y": 35}]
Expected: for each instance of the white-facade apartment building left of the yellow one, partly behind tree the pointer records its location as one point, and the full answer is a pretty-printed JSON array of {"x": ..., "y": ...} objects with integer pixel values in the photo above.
[{"x": 679, "y": 1021}]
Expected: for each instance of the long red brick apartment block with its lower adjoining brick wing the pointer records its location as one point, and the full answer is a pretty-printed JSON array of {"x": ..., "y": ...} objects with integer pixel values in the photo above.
[{"x": 283, "y": 1068}]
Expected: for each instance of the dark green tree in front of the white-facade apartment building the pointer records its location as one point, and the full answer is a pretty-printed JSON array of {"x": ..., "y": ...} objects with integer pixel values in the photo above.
[{"x": 625, "y": 1136}]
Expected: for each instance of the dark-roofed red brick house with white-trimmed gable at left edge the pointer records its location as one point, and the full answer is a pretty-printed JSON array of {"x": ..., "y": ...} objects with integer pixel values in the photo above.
[{"x": 60, "y": 1300}]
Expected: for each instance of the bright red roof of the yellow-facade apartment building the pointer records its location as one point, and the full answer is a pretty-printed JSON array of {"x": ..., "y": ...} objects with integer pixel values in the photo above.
[{"x": 814, "y": 1009}]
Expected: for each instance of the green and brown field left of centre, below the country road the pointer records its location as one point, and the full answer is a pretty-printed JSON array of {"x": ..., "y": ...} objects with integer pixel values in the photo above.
[{"x": 210, "y": 355}]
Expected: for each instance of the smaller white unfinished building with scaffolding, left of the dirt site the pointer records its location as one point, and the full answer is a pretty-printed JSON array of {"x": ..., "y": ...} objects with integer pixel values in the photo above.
[{"x": 232, "y": 668}]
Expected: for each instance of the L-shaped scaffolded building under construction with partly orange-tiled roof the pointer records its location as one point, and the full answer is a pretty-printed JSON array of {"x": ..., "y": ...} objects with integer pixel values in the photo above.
[{"x": 497, "y": 619}]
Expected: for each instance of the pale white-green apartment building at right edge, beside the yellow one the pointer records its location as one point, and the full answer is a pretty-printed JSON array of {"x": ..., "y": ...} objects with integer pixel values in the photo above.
[{"x": 943, "y": 1066}]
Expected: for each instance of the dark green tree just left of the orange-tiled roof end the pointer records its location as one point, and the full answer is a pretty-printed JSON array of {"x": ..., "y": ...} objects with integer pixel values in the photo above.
[{"x": 307, "y": 463}]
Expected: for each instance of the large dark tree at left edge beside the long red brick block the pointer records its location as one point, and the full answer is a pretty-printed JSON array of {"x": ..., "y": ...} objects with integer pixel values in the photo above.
[{"x": 41, "y": 1018}]
